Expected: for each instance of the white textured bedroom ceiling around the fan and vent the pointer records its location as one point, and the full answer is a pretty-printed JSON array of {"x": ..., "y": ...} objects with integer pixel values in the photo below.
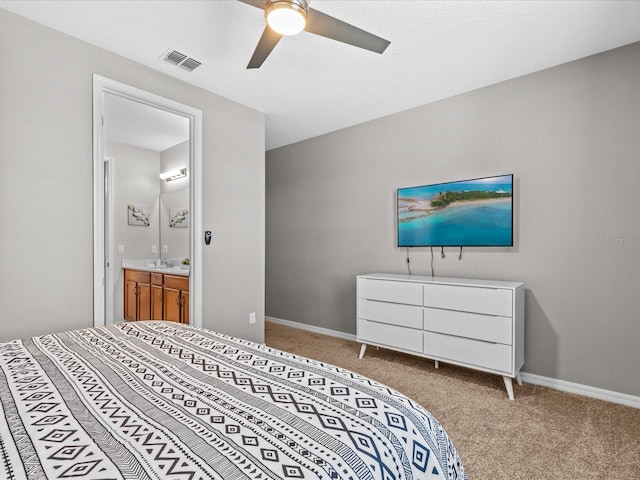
[{"x": 310, "y": 85}]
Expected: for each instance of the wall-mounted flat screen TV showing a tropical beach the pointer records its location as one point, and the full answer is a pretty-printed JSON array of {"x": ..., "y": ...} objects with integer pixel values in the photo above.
[{"x": 466, "y": 213}]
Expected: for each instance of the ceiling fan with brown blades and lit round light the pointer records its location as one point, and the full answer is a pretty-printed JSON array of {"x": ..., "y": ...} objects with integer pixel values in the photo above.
[{"x": 288, "y": 17}]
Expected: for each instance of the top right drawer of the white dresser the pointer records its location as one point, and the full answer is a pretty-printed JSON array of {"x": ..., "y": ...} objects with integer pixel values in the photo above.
[{"x": 490, "y": 301}]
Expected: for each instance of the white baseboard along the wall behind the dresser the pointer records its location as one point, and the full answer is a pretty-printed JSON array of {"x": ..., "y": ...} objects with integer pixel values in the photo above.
[{"x": 556, "y": 384}]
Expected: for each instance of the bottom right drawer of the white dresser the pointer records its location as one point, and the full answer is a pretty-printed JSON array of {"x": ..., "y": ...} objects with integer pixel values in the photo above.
[{"x": 492, "y": 356}]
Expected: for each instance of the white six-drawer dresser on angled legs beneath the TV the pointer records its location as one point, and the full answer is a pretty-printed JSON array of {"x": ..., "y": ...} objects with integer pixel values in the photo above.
[{"x": 474, "y": 323}]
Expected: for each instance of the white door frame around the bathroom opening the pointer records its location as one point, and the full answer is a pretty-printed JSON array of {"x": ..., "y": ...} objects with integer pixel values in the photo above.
[{"x": 102, "y": 85}]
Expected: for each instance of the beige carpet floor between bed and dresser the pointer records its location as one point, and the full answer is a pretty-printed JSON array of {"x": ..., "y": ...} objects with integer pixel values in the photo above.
[{"x": 543, "y": 434}]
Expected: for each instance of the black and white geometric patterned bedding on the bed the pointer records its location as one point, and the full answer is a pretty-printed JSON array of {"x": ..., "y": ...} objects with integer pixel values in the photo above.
[{"x": 161, "y": 400}]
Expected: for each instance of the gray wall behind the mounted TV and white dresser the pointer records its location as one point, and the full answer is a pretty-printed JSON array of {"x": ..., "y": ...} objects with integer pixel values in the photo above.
[{"x": 569, "y": 134}]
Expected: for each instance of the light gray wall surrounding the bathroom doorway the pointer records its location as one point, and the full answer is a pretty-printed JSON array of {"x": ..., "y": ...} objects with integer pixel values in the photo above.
[{"x": 46, "y": 237}]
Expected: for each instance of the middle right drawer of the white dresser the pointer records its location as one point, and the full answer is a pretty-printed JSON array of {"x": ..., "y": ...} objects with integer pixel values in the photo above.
[{"x": 489, "y": 328}]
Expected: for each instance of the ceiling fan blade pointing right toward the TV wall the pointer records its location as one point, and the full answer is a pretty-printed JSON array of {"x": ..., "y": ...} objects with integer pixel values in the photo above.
[{"x": 330, "y": 27}]
